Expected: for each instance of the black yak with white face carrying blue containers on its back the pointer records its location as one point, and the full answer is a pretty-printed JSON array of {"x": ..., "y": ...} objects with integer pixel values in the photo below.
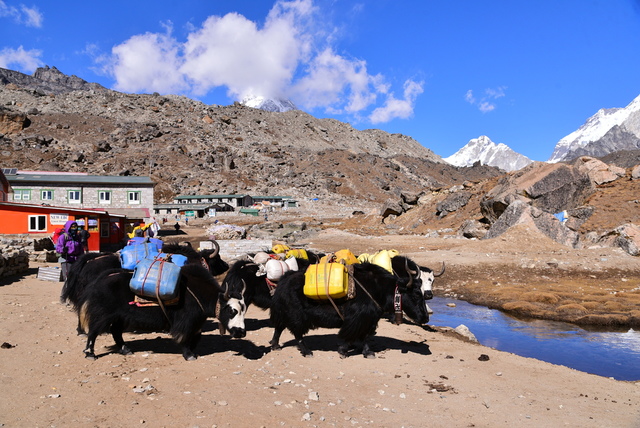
[{"x": 107, "y": 305}]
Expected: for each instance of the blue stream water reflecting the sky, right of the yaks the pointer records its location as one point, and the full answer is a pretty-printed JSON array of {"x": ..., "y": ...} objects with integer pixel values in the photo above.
[{"x": 610, "y": 354}]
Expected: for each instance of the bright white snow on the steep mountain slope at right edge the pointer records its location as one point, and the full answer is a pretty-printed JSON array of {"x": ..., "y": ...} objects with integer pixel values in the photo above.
[{"x": 593, "y": 129}]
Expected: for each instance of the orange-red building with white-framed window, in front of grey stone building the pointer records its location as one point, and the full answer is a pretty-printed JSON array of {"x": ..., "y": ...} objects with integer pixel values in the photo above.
[{"x": 107, "y": 230}]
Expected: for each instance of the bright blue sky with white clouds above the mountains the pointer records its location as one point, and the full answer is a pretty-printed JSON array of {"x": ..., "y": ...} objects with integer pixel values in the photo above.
[{"x": 525, "y": 74}]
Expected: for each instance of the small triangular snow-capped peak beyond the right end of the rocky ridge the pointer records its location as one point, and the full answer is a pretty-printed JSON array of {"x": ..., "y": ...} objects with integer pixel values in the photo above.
[{"x": 488, "y": 153}]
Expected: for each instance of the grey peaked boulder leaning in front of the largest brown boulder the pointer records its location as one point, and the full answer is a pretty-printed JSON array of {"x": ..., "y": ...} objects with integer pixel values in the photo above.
[{"x": 520, "y": 212}]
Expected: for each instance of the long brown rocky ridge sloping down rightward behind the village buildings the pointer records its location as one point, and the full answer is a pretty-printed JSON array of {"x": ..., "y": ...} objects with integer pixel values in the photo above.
[{"x": 188, "y": 147}]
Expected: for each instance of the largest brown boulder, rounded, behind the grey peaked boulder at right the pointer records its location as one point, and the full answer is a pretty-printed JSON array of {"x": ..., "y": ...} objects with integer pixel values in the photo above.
[{"x": 549, "y": 187}]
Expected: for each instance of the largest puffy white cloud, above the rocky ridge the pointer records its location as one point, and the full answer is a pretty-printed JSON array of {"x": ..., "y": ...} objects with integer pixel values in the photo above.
[{"x": 289, "y": 56}]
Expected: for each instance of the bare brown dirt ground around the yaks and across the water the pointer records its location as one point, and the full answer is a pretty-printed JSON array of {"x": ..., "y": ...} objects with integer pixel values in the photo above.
[{"x": 421, "y": 377}]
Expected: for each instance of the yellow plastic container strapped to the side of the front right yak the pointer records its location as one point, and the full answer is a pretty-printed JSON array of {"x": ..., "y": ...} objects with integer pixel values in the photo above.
[{"x": 325, "y": 280}]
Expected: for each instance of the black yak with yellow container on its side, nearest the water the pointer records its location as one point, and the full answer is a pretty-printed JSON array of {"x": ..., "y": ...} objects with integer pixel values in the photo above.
[{"x": 377, "y": 292}]
